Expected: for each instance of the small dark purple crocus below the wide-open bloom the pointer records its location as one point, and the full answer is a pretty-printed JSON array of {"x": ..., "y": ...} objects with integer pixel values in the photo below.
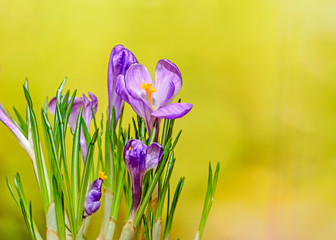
[{"x": 139, "y": 159}]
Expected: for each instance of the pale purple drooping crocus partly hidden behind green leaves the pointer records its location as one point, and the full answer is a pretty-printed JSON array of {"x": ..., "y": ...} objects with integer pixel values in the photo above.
[{"x": 87, "y": 115}]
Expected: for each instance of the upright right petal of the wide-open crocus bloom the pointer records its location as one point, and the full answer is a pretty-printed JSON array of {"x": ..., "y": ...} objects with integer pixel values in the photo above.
[{"x": 167, "y": 71}]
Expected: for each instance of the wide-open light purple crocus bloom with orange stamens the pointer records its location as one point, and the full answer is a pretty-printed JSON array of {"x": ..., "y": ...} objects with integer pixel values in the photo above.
[{"x": 153, "y": 100}]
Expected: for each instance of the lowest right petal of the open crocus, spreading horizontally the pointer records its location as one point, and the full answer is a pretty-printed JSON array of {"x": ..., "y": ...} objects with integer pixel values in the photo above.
[{"x": 173, "y": 110}]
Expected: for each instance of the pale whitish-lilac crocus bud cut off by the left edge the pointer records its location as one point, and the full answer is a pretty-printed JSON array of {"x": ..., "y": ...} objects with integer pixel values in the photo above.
[{"x": 26, "y": 143}]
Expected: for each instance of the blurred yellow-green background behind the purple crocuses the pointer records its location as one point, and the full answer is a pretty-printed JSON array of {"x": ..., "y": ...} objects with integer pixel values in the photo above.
[{"x": 261, "y": 75}]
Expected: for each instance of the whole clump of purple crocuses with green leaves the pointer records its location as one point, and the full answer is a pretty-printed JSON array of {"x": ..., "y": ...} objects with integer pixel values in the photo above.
[{"x": 137, "y": 164}]
